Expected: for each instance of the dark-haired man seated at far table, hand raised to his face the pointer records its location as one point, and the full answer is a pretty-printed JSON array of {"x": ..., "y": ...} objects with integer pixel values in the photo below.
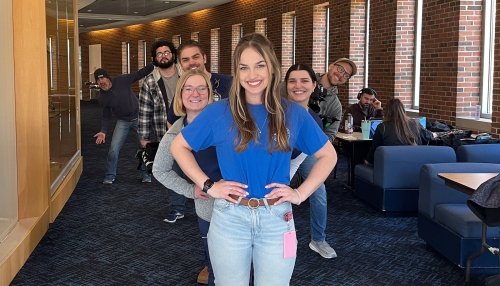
[{"x": 368, "y": 106}]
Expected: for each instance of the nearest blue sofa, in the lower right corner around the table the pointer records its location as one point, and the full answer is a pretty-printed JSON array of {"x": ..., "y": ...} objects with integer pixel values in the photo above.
[{"x": 446, "y": 223}]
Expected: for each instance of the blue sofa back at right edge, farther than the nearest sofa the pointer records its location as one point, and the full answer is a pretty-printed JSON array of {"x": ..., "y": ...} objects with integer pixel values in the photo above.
[{"x": 479, "y": 153}]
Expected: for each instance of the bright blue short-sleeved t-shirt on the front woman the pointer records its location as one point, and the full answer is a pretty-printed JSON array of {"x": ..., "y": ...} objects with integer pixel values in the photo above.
[{"x": 254, "y": 166}]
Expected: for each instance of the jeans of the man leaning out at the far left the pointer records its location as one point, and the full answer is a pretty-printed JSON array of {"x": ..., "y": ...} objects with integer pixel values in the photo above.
[{"x": 120, "y": 134}]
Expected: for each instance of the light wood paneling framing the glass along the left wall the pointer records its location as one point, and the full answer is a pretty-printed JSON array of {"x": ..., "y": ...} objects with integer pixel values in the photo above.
[{"x": 29, "y": 106}]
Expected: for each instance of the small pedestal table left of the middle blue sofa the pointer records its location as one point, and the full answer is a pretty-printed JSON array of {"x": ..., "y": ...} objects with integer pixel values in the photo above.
[{"x": 355, "y": 148}]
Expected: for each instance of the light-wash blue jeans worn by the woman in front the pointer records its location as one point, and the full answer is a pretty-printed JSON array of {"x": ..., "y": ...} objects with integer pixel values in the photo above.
[{"x": 239, "y": 236}]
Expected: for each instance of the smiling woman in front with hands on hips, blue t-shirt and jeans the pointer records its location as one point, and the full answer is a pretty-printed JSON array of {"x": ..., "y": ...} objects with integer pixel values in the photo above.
[{"x": 254, "y": 132}]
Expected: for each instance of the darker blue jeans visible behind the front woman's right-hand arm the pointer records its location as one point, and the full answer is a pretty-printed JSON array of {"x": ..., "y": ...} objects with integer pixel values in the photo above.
[{"x": 317, "y": 201}]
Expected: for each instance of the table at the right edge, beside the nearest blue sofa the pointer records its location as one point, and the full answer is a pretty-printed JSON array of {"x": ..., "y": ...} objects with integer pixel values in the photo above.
[{"x": 465, "y": 182}]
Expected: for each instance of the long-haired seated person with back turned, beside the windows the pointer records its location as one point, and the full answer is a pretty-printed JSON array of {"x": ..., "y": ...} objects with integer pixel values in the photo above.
[{"x": 398, "y": 129}]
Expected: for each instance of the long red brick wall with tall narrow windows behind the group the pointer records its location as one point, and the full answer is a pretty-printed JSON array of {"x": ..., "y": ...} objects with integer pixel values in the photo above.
[{"x": 450, "y": 45}]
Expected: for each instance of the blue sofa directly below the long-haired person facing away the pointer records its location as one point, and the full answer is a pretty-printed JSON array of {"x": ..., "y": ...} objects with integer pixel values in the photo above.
[{"x": 391, "y": 184}]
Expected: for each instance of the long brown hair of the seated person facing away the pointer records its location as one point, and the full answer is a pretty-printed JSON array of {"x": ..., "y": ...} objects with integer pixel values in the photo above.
[{"x": 395, "y": 112}]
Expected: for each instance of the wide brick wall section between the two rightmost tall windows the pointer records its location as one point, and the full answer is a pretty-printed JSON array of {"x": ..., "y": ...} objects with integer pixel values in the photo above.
[{"x": 450, "y": 65}]
